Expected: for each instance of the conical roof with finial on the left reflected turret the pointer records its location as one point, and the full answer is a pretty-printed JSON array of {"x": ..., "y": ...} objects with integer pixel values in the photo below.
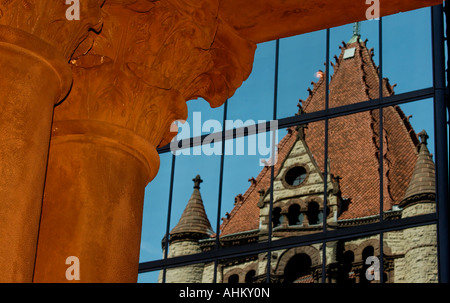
[{"x": 194, "y": 218}]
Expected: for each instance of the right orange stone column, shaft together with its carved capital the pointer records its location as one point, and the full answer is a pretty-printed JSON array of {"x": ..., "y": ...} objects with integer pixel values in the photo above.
[{"x": 147, "y": 62}]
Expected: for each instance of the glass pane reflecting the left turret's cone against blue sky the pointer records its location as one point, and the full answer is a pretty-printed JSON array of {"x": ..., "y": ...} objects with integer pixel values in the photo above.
[{"x": 195, "y": 195}]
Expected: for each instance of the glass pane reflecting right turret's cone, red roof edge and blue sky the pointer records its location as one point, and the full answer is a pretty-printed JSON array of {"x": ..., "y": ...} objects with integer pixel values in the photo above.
[{"x": 409, "y": 171}]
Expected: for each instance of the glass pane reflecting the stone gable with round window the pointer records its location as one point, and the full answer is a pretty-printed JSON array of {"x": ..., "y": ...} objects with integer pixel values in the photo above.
[{"x": 298, "y": 195}]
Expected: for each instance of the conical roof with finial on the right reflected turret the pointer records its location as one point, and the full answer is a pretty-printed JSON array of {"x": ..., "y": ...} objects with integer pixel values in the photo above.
[{"x": 423, "y": 178}]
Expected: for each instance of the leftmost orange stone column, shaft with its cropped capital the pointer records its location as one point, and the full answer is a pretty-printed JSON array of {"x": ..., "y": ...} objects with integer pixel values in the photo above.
[{"x": 36, "y": 44}]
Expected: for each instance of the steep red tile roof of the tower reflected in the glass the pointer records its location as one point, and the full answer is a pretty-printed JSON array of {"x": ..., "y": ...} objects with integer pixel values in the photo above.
[{"x": 353, "y": 144}]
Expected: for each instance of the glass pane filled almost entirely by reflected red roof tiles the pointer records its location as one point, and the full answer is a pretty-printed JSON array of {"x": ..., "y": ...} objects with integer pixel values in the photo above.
[{"x": 354, "y": 168}]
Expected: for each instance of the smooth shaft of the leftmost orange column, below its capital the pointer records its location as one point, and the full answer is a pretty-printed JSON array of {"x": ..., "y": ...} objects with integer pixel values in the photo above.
[{"x": 33, "y": 77}]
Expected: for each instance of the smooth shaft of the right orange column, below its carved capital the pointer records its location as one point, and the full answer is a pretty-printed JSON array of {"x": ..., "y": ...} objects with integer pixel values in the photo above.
[{"x": 93, "y": 202}]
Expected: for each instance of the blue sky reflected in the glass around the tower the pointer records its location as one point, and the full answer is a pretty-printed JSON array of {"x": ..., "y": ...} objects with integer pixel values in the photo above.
[{"x": 406, "y": 61}]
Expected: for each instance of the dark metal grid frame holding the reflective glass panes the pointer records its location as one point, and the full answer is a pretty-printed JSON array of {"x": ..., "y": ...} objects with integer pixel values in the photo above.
[{"x": 440, "y": 95}]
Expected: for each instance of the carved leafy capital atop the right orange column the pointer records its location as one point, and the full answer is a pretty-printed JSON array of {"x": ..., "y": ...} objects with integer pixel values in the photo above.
[{"x": 150, "y": 58}]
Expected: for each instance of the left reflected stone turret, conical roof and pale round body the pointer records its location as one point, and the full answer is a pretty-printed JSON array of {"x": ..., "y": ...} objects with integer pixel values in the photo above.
[{"x": 184, "y": 238}]
